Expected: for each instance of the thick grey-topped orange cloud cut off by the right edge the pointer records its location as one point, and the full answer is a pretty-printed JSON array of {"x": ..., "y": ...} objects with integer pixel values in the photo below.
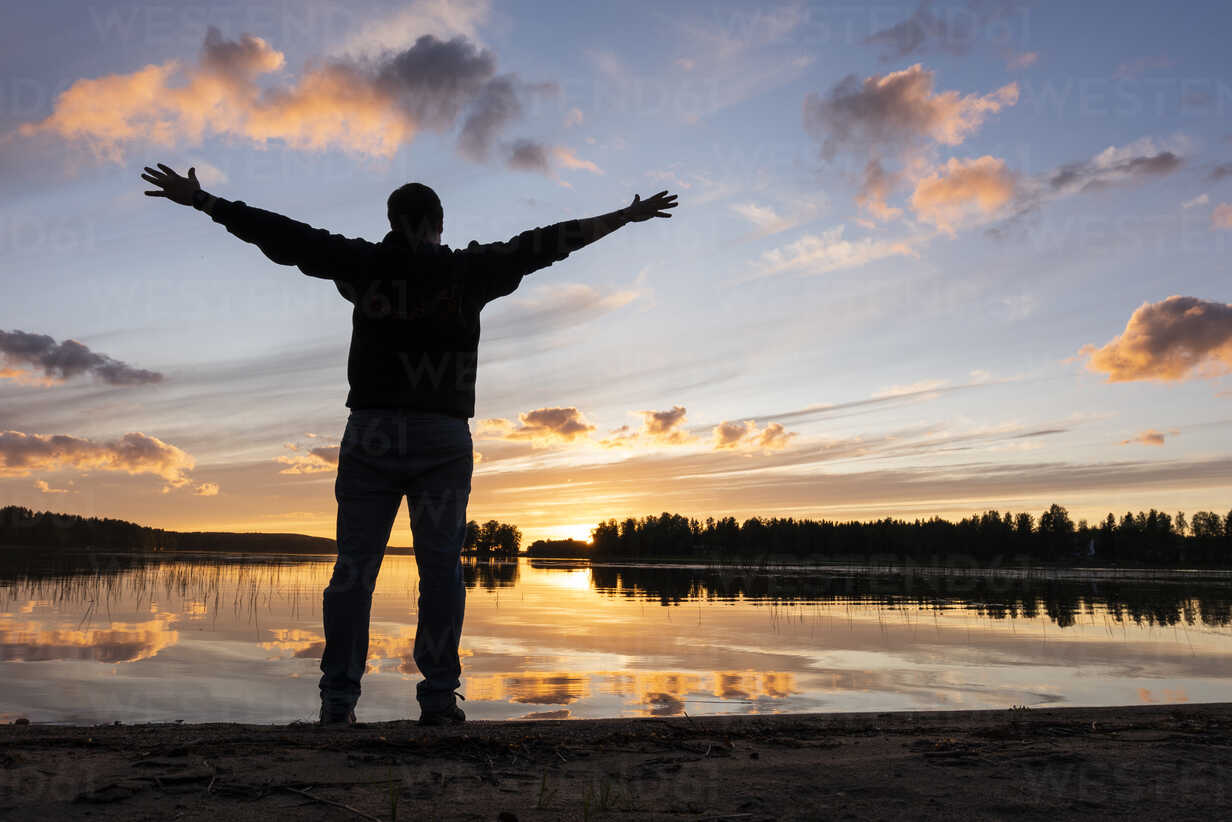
[{"x": 1170, "y": 341}]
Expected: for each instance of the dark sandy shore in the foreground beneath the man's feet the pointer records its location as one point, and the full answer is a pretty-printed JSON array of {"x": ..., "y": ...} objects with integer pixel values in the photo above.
[{"x": 1154, "y": 762}]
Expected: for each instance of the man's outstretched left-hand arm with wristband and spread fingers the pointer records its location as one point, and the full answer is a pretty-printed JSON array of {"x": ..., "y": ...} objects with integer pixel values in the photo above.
[{"x": 314, "y": 251}]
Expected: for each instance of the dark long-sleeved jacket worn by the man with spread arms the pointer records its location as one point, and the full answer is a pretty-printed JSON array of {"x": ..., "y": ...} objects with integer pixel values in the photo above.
[{"x": 416, "y": 325}]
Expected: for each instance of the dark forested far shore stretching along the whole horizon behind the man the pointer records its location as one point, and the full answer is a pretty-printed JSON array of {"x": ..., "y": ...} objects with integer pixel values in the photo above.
[{"x": 1151, "y": 539}]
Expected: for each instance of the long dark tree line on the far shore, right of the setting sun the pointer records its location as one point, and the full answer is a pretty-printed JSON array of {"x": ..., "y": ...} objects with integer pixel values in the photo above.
[{"x": 1146, "y": 538}]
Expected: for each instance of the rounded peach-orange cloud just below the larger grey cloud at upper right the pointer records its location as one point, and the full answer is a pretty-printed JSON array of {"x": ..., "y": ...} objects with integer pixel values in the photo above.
[{"x": 963, "y": 189}]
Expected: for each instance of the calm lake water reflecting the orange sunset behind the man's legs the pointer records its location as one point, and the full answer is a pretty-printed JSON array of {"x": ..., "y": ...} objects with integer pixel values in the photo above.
[{"x": 99, "y": 639}]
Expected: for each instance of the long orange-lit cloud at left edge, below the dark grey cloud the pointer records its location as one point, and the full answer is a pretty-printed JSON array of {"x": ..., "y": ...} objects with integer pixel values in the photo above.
[{"x": 135, "y": 454}]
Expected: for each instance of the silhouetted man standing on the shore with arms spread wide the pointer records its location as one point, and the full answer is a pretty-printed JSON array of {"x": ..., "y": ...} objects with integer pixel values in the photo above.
[{"x": 412, "y": 370}]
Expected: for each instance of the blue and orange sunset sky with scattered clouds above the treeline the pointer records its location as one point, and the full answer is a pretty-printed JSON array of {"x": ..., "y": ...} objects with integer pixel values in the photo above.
[{"x": 930, "y": 259}]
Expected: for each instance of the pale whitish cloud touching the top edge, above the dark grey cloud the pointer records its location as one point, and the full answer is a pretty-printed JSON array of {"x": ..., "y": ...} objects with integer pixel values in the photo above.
[{"x": 412, "y": 22}]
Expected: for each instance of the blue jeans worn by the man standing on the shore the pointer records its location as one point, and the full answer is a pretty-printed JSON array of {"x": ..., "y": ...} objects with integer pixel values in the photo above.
[{"x": 386, "y": 455}]
